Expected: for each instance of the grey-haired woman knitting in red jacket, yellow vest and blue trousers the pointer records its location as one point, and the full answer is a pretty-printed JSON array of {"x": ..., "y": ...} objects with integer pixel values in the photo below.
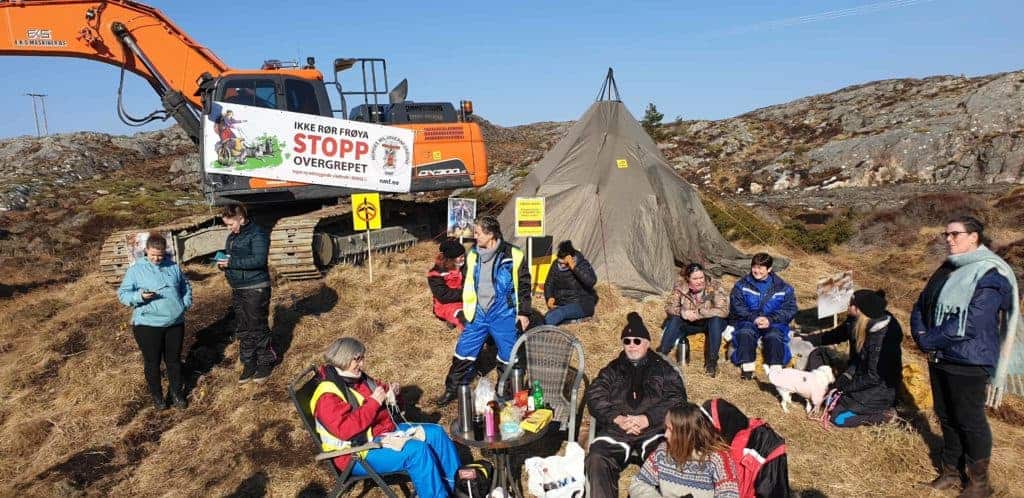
[{"x": 351, "y": 410}]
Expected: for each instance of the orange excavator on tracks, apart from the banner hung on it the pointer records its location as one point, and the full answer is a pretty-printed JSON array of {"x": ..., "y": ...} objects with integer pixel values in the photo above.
[{"x": 311, "y": 232}]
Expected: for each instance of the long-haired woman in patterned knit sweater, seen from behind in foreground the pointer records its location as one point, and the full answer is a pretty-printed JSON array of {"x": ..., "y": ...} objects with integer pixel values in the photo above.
[{"x": 694, "y": 462}]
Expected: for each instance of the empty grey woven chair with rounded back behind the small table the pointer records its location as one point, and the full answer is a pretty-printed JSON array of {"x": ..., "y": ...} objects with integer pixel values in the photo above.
[{"x": 548, "y": 357}]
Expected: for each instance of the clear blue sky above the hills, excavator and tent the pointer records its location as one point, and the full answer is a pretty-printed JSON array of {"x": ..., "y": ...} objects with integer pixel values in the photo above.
[{"x": 533, "y": 61}]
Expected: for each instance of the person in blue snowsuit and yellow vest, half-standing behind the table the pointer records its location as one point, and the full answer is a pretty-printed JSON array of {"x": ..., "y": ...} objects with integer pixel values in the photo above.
[{"x": 496, "y": 300}]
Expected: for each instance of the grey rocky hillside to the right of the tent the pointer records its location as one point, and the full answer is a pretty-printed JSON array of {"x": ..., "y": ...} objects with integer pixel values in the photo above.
[{"x": 945, "y": 130}]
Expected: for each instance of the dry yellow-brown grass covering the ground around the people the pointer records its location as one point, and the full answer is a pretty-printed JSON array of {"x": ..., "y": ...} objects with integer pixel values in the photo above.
[{"x": 75, "y": 419}]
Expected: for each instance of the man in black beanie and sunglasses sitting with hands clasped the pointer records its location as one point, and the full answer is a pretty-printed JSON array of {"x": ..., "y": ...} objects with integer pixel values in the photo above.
[{"x": 629, "y": 400}]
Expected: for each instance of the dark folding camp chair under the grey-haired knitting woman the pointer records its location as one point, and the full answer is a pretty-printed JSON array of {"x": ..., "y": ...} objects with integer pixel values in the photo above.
[{"x": 302, "y": 391}]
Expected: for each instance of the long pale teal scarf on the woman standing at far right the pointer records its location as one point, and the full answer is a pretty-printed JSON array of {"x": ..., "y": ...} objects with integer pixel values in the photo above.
[{"x": 956, "y": 299}]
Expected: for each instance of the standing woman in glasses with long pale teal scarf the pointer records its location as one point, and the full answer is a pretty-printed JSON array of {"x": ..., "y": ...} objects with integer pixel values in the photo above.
[{"x": 966, "y": 319}]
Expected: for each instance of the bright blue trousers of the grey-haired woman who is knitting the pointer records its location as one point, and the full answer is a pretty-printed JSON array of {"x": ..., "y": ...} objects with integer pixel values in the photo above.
[{"x": 432, "y": 464}]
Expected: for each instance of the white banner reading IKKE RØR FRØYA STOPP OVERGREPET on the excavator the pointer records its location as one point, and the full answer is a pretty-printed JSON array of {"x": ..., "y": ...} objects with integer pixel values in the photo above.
[{"x": 277, "y": 145}]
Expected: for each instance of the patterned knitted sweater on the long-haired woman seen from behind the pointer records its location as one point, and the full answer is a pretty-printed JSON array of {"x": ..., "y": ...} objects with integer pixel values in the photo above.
[{"x": 662, "y": 477}]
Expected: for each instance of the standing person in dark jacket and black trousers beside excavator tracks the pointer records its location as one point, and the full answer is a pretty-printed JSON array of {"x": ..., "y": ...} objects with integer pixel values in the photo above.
[{"x": 246, "y": 270}]
